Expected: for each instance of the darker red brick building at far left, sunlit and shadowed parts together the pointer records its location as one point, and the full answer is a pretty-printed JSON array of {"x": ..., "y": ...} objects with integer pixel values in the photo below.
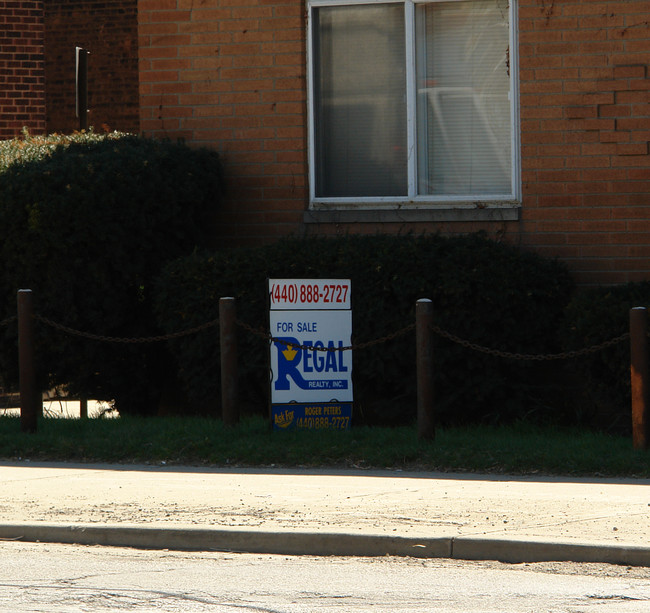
[{"x": 38, "y": 64}]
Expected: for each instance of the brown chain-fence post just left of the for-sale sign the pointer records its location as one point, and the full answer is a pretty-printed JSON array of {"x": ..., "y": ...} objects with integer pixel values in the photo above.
[{"x": 228, "y": 338}]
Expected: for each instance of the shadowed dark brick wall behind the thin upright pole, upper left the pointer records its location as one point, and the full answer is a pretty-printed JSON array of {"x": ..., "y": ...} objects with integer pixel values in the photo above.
[{"x": 108, "y": 30}]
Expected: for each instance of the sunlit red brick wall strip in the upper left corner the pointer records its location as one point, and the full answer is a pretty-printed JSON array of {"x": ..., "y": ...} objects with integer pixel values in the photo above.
[{"x": 22, "y": 76}]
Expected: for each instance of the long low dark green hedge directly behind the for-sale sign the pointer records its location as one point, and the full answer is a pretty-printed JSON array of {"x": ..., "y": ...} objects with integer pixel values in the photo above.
[{"x": 490, "y": 293}]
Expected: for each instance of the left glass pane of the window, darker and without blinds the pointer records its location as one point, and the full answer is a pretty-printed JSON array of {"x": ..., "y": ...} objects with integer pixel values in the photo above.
[{"x": 359, "y": 98}]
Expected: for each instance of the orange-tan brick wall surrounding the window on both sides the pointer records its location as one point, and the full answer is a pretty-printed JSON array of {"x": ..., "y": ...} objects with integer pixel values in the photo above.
[{"x": 231, "y": 74}]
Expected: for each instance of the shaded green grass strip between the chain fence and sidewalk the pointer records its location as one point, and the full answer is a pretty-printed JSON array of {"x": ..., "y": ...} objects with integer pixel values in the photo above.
[{"x": 517, "y": 449}]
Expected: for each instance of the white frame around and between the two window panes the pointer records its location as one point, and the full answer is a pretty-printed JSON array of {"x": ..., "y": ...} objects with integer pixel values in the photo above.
[{"x": 412, "y": 200}]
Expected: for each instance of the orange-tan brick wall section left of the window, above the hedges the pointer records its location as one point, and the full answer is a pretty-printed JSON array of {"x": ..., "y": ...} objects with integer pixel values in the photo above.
[{"x": 231, "y": 74}]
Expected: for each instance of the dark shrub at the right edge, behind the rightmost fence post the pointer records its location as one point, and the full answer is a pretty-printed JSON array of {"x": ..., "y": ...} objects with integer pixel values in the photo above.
[{"x": 594, "y": 316}]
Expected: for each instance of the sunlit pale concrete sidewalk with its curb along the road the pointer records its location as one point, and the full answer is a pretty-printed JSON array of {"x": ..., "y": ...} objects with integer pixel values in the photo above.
[{"x": 328, "y": 512}]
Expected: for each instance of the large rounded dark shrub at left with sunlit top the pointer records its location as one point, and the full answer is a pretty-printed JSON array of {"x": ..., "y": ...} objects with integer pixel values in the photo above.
[{"x": 87, "y": 222}]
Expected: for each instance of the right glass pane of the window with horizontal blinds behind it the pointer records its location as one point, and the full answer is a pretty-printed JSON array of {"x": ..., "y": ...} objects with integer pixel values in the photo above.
[{"x": 462, "y": 53}]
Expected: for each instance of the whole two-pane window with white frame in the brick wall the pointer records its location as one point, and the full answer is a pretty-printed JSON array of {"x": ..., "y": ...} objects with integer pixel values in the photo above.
[{"x": 411, "y": 102}]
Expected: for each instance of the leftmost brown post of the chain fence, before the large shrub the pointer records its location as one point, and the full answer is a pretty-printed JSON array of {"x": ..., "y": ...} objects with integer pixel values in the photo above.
[{"x": 29, "y": 401}]
